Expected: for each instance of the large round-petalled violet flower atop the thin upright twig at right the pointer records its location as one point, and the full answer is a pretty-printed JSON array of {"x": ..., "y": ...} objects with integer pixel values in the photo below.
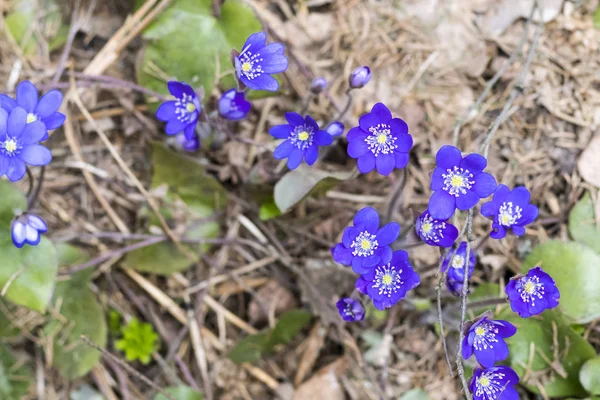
[{"x": 458, "y": 182}]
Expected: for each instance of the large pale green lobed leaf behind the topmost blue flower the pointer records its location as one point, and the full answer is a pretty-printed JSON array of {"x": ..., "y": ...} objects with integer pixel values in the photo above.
[{"x": 186, "y": 42}]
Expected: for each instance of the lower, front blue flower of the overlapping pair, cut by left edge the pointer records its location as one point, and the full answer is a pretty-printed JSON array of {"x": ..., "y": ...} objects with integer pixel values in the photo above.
[{"x": 19, "y": 144}]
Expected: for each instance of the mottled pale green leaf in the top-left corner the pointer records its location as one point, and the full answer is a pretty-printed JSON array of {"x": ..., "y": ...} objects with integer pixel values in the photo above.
[{"x": 26, "y": 14}]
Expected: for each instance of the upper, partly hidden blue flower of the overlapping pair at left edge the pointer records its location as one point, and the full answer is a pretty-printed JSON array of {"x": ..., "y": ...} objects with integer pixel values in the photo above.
[{"x": 44, "y": 109}]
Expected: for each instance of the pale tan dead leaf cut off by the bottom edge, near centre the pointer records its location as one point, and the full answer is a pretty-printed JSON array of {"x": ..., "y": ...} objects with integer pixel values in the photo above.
[{"x": 324, "y": 384}]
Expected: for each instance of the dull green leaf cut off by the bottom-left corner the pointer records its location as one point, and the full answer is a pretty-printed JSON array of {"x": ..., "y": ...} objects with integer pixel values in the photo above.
[{"x": 15, "y": 376}]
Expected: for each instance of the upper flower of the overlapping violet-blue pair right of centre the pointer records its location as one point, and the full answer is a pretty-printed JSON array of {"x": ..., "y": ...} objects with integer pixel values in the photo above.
[{"x": 365, "y": 245}]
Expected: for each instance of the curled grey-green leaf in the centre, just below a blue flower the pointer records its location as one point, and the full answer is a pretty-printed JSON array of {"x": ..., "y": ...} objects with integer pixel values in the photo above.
[{"x": 303, "y": 181}]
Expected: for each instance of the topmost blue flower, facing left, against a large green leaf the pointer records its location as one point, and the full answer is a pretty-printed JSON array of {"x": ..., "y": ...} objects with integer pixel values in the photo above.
[{"x": 257, "y": 61}]
